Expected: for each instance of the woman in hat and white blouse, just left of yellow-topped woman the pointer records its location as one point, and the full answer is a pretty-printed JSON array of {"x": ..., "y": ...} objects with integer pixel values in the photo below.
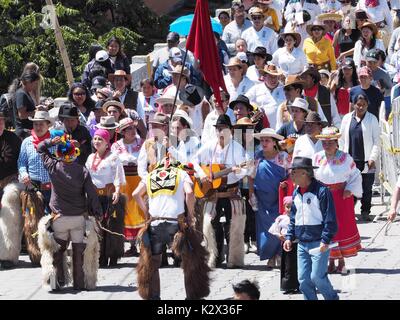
[{"x": 290, "y": 58}]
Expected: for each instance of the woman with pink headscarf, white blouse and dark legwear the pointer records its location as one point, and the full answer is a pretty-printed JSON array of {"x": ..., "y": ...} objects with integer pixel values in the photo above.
[{"x": 108, "y": 176}]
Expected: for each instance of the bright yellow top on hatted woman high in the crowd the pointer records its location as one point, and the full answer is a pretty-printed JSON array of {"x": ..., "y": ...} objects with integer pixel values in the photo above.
[{"x": 320, "y": 52}]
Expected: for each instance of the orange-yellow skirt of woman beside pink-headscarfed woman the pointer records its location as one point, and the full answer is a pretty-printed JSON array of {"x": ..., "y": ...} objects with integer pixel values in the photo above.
[{"x": 134, "y": 216}]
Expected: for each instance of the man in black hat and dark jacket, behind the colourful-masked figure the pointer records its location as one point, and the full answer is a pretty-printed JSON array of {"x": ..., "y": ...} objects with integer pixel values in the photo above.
[{"x": 69, "y": 116}]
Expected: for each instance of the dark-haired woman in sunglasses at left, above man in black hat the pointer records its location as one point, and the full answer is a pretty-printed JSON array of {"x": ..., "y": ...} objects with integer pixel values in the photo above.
[{"x": 80, "y": 96}]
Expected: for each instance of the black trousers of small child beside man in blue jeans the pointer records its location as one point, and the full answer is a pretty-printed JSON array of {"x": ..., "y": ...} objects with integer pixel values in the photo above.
[{"x": 289, "y": 269}]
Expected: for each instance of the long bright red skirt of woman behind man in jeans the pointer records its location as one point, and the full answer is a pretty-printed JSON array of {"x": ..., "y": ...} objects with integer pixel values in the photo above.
[{"x": 347, "y": 236}]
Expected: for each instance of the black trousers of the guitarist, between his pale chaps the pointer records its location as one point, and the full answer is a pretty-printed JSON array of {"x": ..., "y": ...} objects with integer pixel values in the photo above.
[{"x": 221, "y": 229}]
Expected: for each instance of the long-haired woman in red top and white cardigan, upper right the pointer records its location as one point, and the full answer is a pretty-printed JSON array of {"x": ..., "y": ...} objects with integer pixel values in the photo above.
[{"x": 340, "y": 87}]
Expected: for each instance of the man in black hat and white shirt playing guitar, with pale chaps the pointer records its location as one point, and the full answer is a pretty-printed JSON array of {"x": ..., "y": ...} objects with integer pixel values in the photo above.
[{"x": 224, "y": 215}]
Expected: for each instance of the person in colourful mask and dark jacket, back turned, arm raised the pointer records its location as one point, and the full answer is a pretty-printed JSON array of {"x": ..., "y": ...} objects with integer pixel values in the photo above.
[{"x": 73, "y": 196}]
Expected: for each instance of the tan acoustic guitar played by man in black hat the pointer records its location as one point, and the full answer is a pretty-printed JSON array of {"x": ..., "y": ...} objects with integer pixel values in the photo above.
[{"x": 218, "y": 176}]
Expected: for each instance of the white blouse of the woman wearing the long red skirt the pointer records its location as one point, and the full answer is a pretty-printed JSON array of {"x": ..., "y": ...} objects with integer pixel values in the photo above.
[{"x": 339, "y": 170}]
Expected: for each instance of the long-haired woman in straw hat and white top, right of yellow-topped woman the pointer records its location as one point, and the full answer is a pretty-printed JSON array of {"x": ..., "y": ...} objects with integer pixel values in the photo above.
[{"x": 367, "y": 42}]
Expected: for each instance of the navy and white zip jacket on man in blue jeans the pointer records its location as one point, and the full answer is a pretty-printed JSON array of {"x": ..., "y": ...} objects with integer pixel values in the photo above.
[{"x": 313, "y": 215}]
